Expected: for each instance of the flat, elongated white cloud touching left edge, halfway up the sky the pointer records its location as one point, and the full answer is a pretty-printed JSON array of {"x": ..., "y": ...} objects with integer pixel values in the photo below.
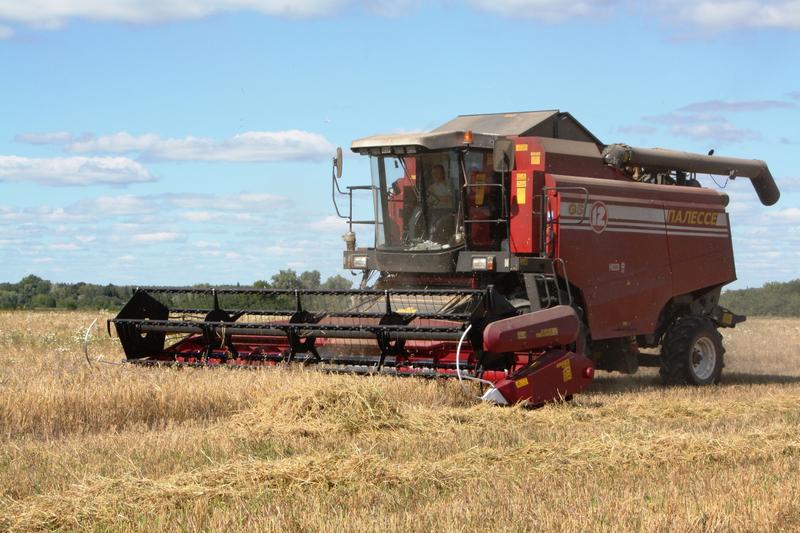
[{"x": 73, "y": 170}]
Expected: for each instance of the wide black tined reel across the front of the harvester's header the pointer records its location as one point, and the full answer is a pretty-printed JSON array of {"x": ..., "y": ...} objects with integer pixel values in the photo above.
[{"x": 145, "y": 321}]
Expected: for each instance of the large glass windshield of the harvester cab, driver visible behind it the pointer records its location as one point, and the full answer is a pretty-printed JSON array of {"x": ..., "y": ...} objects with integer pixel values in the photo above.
[{"x": 420, "y": 199}]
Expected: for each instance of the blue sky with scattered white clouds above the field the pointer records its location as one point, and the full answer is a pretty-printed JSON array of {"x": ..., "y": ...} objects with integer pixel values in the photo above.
[{"x": 182, "y": 142}]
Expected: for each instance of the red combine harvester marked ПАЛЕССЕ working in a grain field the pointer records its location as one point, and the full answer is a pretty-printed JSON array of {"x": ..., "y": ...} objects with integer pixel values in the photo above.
[{"x": 514, "y": 249}]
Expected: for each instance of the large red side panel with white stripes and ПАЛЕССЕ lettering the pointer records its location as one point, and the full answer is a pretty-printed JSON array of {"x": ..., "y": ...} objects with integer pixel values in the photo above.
[{"x": 638, "y": 245}]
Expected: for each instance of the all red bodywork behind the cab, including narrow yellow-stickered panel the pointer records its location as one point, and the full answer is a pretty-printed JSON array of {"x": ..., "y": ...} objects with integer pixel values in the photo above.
[{"x": 628, "y": 246}]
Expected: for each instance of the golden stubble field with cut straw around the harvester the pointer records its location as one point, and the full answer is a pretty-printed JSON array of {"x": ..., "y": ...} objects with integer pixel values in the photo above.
[{"x": 114, "y": 447}]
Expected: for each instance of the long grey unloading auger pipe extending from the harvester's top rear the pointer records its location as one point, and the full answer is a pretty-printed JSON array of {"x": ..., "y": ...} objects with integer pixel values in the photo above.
[{"x": 621, "y": 155}]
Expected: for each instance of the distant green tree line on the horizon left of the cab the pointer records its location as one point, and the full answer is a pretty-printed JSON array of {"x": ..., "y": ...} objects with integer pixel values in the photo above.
[{"x": 33, "y": 292}]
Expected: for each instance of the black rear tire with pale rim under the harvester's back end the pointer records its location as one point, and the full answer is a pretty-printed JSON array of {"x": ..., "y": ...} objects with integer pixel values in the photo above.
[{"x": 692, "y": 352}]
